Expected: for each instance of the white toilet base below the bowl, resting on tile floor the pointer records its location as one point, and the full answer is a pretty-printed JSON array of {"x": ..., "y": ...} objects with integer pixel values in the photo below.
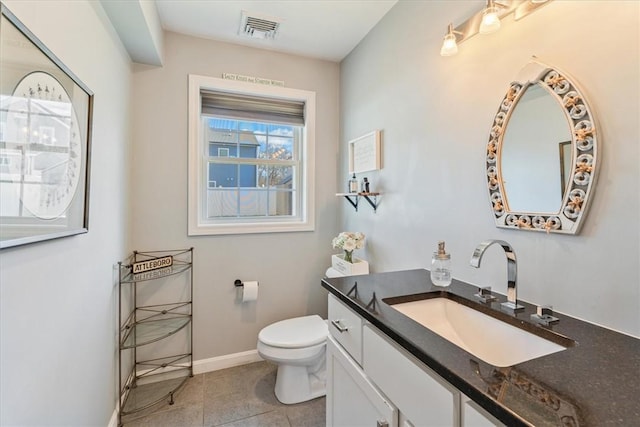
[{"x": 296, "y": 384}]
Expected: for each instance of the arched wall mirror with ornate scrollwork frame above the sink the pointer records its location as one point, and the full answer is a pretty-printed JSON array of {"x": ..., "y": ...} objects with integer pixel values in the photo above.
[{"x": 541, "y": 156}]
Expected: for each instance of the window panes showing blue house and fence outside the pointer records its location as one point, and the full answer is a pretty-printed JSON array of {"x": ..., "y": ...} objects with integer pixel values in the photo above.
[{"x": 252, "y": 168}]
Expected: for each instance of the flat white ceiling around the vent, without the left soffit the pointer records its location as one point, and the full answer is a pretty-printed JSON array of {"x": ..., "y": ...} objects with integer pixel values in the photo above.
[{"x": 326, "y": 29}]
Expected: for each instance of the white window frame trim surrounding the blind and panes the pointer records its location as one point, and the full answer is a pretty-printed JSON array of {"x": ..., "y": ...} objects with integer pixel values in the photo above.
[{"x": 198, "y": 224}]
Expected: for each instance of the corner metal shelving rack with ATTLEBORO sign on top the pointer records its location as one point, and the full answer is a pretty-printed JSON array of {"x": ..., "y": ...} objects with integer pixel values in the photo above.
[{"x": 145, "y": 382}]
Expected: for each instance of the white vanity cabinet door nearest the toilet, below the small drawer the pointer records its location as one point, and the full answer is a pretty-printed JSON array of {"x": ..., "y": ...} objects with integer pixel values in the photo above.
[{"x": 352, "y": 400}]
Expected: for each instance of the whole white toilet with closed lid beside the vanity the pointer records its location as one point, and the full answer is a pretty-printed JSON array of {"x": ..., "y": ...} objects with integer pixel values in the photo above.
[{"x": 298, "y": 347}]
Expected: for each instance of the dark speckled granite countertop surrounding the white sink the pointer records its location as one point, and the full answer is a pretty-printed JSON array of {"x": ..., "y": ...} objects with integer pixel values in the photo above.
[{"x": 595, "y": 382}]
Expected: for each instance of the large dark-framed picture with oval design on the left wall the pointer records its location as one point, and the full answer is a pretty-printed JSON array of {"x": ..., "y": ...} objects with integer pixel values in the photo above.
[{"x": 45, "y": 141}]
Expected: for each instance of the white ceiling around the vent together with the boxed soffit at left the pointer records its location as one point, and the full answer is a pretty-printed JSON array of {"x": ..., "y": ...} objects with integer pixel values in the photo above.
[{"x": 324, "y": 29}]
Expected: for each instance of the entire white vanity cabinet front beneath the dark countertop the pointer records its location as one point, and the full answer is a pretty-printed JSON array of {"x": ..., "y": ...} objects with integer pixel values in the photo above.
[{"x": 372, "y": 381}]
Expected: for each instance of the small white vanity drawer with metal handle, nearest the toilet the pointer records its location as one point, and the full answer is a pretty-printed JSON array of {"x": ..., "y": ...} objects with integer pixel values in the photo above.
[{"x": 345, "y": 327}]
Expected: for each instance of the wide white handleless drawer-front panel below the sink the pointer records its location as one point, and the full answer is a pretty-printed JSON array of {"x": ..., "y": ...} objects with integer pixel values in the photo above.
[{"x": 418, "y": 392}]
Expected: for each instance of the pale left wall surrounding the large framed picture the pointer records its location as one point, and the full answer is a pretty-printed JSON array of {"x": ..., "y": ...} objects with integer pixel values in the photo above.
[{"x": 58, "y": 349}]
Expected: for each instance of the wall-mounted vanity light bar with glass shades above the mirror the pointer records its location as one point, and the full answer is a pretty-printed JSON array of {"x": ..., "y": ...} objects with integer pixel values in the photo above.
[{"x": 487, "y": 21}]
